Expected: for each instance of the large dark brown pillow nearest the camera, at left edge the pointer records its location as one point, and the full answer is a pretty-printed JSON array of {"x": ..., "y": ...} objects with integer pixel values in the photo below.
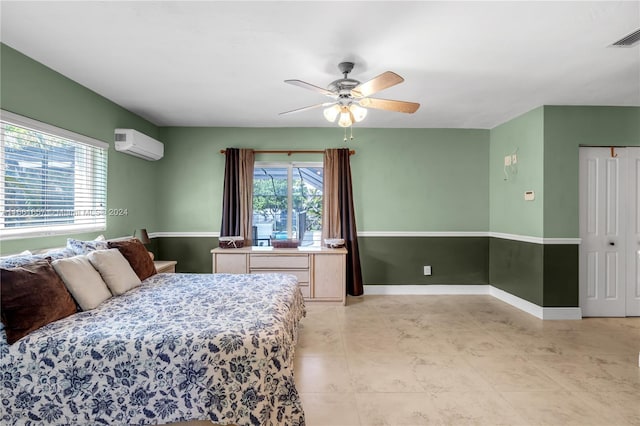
[{"x": 32, "y": 296}]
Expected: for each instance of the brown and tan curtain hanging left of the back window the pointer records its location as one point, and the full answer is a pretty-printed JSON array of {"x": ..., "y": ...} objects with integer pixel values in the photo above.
[{"x": 237, "y": 196}]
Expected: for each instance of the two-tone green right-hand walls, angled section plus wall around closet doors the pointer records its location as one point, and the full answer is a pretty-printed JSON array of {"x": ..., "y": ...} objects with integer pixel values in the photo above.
[{"x": 548, "y": 140}]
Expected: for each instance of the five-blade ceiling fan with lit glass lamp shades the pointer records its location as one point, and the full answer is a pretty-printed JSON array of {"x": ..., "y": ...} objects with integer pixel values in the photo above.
[{"x": 351, "y": 98}]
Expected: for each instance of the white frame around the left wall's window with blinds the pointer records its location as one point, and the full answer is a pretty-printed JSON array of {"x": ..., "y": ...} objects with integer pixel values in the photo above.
[{"x": 56, "y": 229}]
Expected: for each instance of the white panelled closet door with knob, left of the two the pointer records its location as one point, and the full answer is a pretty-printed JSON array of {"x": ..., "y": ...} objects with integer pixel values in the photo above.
[{"x": 603, "y": 220}]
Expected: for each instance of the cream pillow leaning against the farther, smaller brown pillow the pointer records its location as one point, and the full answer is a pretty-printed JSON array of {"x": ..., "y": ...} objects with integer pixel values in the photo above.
[{"x": 115, "y": 270}]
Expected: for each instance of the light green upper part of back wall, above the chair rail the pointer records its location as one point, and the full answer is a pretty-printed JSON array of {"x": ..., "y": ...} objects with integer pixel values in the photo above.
[{"x": 404, "y": 179}]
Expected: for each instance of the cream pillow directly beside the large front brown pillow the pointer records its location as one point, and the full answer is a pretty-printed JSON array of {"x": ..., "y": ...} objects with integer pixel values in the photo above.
[{"x": 83, "y": 282}]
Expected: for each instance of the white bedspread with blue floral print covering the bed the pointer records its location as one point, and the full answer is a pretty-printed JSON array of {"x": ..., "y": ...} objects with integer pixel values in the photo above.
[{"x": 180, "y": 347}]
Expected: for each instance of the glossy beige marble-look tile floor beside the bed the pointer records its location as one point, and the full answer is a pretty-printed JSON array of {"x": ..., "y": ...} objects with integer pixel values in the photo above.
[{"x": 458, "y": 360}]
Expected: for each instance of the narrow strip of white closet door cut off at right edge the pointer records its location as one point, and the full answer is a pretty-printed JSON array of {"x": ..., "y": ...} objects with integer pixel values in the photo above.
[{"x": 633, "y": 233}]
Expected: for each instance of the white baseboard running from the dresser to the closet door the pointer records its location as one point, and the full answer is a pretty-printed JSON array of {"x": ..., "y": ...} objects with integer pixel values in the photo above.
[{"x": 568, "y": 313}]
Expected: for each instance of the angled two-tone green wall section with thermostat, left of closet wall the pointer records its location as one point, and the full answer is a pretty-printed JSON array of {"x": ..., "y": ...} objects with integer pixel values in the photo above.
[{"x": 517, "y": 267}]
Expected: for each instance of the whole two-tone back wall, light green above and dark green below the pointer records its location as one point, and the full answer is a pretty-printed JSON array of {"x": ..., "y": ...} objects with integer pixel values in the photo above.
[{"x": 405, "y": 180}]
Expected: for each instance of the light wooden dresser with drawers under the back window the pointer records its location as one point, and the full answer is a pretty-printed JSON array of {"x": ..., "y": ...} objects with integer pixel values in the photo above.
[{"x": 320, "y": 271}]
